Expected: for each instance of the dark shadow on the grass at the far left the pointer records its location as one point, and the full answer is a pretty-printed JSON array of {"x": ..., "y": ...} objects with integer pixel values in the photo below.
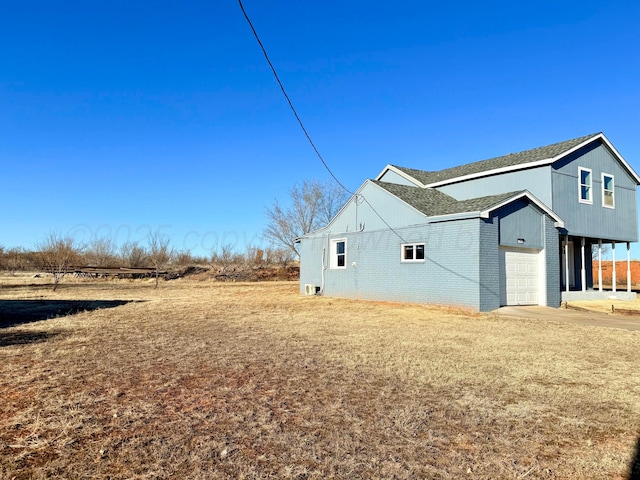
[{"x": 16, "y": 312}]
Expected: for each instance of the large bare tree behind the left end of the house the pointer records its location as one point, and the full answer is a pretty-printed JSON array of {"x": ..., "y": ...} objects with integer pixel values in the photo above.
[{"x": 312, "y": 205}]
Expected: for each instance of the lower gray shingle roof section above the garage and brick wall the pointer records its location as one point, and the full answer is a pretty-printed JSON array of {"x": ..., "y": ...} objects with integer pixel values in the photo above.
[{"x": 433, "y": 203}]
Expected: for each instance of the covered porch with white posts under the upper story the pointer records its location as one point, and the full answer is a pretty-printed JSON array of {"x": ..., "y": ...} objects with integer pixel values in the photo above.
[{"x": 579, "y": 256}]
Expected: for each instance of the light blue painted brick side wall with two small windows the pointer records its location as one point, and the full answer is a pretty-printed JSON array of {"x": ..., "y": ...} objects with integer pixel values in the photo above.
[{"x": 450, "y": 274}]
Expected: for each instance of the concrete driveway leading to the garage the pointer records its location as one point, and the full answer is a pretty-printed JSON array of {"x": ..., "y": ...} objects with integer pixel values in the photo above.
[{"x": 572, "y": 316}]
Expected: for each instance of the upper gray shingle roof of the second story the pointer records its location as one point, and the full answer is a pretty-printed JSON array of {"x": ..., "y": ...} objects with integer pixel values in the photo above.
[{"x": 528, "y": 156}]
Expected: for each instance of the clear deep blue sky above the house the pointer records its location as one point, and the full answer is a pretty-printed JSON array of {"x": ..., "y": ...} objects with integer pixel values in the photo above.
[{"x": 121, "y": 117}]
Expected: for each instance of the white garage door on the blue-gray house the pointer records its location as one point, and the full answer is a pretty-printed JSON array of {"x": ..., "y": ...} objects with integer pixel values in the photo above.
[{"x": 518, "y": 276}]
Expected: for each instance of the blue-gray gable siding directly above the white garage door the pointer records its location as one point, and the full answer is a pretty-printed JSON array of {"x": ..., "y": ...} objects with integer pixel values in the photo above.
[{"x": 521, "y": 220}]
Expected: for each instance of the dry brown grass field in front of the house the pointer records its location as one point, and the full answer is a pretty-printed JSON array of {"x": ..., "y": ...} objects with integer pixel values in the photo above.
[{"x": 223, "y": 380}]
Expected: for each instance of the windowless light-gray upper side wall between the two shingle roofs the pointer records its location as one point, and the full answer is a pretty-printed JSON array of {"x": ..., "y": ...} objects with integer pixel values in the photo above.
[{"x": 535, "y": 180}]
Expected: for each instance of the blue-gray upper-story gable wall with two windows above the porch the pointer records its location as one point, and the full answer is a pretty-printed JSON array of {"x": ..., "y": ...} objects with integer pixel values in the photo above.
[{"x": 594, "y": 220}]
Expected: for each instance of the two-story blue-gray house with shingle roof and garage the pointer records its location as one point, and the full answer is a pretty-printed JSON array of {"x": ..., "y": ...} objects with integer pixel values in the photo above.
[{"x": 513, "y": 230}]
